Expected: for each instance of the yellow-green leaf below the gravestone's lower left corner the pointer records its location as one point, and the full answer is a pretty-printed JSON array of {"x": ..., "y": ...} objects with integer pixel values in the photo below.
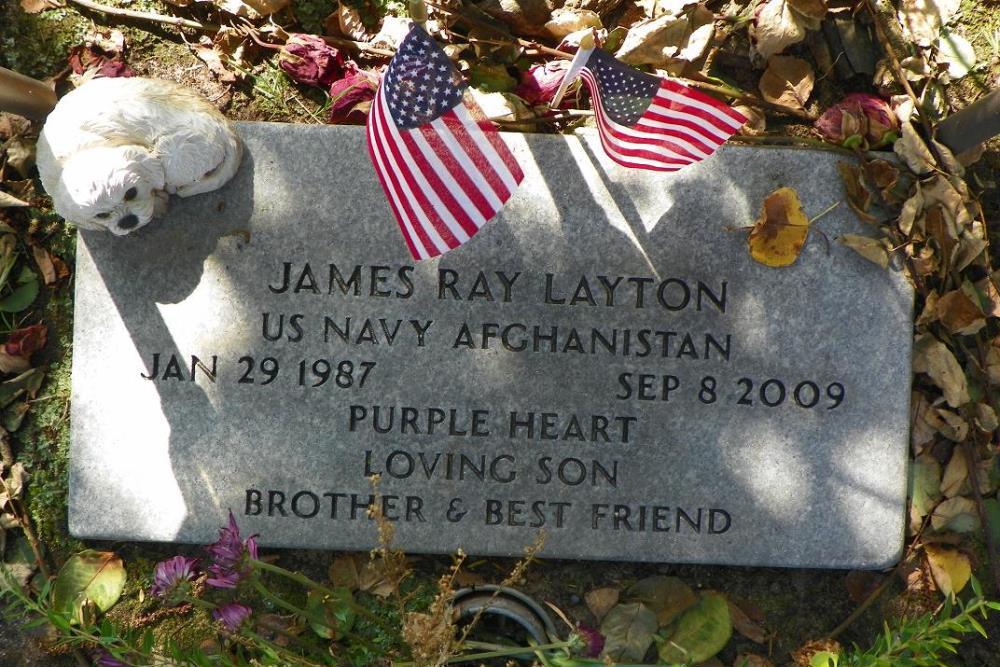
[{"x": 95, "y": 576}]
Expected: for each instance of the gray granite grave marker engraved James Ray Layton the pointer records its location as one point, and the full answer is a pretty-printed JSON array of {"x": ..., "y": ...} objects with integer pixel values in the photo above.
[{"x": 650, "y": 439}]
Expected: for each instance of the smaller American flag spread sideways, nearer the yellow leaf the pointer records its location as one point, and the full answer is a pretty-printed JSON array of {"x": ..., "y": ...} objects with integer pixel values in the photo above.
[{"x": 653, "y": 123}]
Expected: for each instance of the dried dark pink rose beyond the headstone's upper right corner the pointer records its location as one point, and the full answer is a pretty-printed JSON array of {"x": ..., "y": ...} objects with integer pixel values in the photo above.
[{"x": 857, "y": 119}]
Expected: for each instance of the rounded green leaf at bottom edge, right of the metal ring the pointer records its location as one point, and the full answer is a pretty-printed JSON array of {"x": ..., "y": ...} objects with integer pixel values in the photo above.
[{"x": 701, "y": 632}]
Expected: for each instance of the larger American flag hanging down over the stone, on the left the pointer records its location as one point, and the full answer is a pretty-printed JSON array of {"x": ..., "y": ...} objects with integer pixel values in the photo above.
[{"x": 443, "y": 166}]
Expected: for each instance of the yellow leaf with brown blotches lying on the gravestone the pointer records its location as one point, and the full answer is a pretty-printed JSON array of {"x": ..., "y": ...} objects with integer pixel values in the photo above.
[{"x": 780, "y": 232}]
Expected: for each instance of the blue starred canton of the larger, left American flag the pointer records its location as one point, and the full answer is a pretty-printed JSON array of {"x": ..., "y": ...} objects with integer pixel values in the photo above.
[{"x": 421, "y": 83}]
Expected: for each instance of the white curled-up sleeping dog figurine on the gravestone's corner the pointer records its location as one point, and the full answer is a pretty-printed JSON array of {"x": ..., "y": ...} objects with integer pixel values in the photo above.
[{"x": 113, "y": 151}]
